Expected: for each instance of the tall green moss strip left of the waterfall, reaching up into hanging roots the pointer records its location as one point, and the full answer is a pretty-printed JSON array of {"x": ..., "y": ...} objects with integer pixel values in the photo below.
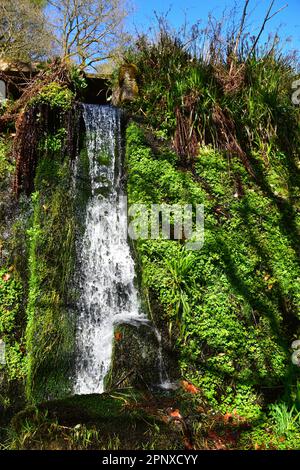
[{"x": 58, "y": 205}]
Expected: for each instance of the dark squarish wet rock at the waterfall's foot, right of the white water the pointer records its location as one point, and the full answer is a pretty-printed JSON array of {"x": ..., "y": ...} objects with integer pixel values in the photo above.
[{"x": 135, "y": 356}]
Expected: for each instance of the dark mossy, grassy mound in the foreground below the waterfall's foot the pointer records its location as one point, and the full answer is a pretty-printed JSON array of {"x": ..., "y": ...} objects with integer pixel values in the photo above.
[{"x": 122, "y": 420}]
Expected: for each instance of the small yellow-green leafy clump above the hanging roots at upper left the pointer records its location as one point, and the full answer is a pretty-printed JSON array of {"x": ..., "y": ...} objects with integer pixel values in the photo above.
[{"x": 55, "y": 95}]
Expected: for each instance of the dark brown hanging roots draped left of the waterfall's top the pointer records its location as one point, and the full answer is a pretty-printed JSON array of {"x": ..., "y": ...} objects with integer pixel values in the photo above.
[{"x": 33, "y": 122}]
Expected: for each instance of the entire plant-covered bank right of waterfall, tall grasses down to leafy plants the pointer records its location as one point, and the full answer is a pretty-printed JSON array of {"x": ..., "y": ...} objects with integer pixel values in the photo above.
[{"x": 222, "y": 131}]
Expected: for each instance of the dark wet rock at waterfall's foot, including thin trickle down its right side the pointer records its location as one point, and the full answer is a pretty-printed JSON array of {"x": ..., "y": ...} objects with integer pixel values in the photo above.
[{"x": 144, "y": 355}]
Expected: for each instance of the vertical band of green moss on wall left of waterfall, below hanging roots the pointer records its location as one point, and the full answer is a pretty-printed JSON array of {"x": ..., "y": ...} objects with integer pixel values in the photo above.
[{"x": 50, "y": 328}]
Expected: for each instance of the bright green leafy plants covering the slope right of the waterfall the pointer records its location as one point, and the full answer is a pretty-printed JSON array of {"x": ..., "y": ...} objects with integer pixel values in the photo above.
[{"x": 231, "y": 300}]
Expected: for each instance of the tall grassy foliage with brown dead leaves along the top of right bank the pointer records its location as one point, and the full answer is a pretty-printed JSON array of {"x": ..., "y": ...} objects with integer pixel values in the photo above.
[{"x": 242, "y": 106}]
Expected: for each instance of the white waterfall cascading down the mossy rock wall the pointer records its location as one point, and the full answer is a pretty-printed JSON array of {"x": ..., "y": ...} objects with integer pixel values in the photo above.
[{"x": 107, "y": 294}]
